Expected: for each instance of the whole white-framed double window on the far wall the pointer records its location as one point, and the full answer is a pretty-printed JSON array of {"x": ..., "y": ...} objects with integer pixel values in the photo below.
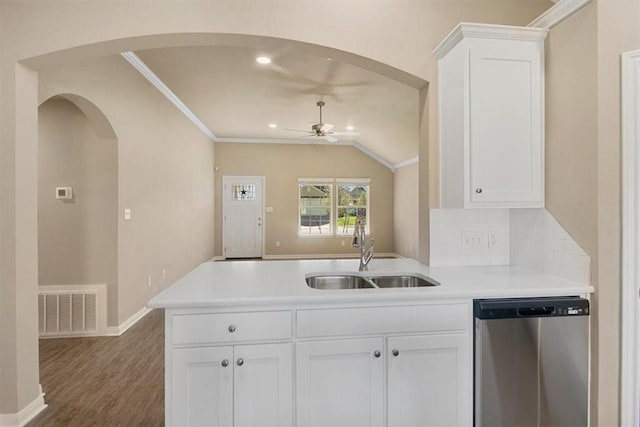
[{"x": 322, "y": 215}]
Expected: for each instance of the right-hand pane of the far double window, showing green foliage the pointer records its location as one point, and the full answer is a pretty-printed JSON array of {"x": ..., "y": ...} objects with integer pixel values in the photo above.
[{"x": 352, "y": 204}]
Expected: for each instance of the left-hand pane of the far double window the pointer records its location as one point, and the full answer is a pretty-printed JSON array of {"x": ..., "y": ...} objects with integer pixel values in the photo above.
[{"x": 315, "y": 209}]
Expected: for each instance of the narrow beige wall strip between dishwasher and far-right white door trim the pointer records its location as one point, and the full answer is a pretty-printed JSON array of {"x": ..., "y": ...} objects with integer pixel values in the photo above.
[{"x": 617, "y": 32}]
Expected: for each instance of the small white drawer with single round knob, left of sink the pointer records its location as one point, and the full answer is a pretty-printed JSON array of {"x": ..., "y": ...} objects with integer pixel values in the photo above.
[{"x": 230, "y": 327}]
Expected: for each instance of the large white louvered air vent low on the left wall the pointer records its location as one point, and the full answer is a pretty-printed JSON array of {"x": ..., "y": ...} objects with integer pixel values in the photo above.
[{"x": 67, "y": 311}]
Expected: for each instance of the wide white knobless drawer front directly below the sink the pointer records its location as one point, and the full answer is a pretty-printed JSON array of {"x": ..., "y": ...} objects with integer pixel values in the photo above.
[{"x": 383, "y": 320}]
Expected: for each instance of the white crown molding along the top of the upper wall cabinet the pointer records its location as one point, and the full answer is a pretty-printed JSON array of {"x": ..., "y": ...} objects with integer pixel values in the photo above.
[{"x": 487, "y": 31}]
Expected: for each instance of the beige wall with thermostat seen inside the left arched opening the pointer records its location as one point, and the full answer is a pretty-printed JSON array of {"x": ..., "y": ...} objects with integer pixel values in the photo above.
[{"x": 77, "y": 239}]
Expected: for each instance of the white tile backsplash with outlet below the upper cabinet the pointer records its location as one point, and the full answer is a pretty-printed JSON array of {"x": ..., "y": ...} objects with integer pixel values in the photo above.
[{"x": 530, "y": 238}]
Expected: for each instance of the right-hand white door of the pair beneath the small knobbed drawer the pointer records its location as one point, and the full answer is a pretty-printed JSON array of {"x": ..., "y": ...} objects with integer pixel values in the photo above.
[{"x": 263, "y": 385}]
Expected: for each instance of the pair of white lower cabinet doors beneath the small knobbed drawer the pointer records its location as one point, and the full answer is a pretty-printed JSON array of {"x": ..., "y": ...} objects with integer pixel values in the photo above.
[{"x": 242, "y": 385}]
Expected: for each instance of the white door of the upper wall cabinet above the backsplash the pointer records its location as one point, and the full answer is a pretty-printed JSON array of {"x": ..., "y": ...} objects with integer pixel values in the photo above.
[{"x": 504, "y": 118}]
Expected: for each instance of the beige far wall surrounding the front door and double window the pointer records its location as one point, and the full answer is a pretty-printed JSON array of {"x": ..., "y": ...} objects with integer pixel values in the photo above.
[{"x": 282, "y": 165}]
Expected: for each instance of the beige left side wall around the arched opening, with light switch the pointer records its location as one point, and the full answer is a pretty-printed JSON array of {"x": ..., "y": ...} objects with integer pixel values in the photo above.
[{"x": 165, "y": 176}]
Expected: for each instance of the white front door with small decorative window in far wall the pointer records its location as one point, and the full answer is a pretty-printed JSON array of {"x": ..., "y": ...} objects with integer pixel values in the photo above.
[{"x": 242, "y": 216}]
